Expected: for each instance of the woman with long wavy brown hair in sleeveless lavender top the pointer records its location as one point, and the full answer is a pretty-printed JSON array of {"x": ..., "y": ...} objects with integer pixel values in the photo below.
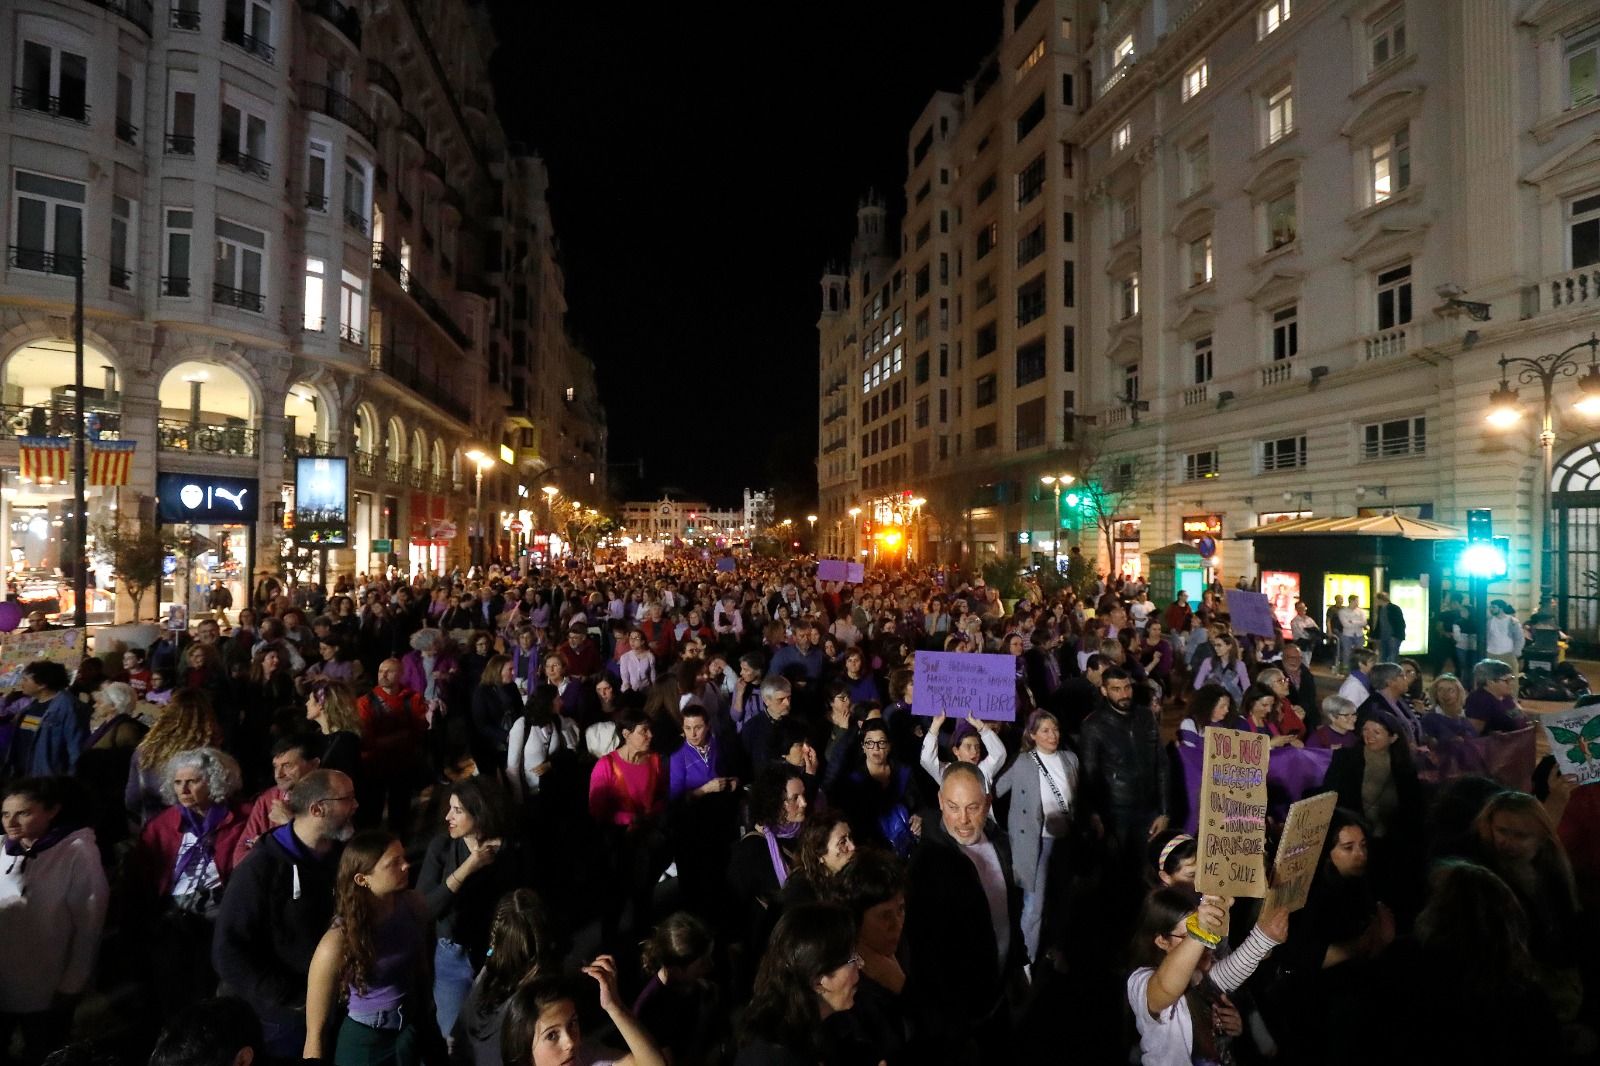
[{"x": 375, "y": 956}]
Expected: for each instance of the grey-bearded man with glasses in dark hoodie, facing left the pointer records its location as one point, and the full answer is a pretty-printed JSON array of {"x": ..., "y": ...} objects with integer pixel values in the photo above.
[{"x": 278, "y": 907}]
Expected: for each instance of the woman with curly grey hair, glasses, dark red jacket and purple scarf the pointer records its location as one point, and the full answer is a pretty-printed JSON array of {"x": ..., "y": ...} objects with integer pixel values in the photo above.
[{"x": 180, "y": 870}]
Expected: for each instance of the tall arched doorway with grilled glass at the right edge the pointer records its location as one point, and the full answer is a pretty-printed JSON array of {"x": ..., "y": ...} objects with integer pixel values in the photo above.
[{"x": 1575, "y": 499}]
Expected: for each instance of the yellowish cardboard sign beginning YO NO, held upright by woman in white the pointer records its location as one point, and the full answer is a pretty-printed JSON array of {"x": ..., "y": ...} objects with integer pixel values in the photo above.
[{"x": 1233, "y": 814}]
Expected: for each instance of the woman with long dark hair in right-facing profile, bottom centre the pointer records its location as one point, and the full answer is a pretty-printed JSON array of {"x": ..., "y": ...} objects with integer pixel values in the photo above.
[{"x": 809, "y": 974}]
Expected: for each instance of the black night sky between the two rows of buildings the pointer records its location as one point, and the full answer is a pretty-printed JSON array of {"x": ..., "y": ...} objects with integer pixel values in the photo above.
[{"x": 706, "y": 164}]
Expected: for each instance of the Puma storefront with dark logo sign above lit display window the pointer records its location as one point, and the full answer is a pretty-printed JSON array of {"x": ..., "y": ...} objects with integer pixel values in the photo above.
[{"x": 215, "y": 524}]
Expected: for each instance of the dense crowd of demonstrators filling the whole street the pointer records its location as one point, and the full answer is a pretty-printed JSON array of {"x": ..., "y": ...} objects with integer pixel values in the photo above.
[{"x": 697, "y": 816}]
